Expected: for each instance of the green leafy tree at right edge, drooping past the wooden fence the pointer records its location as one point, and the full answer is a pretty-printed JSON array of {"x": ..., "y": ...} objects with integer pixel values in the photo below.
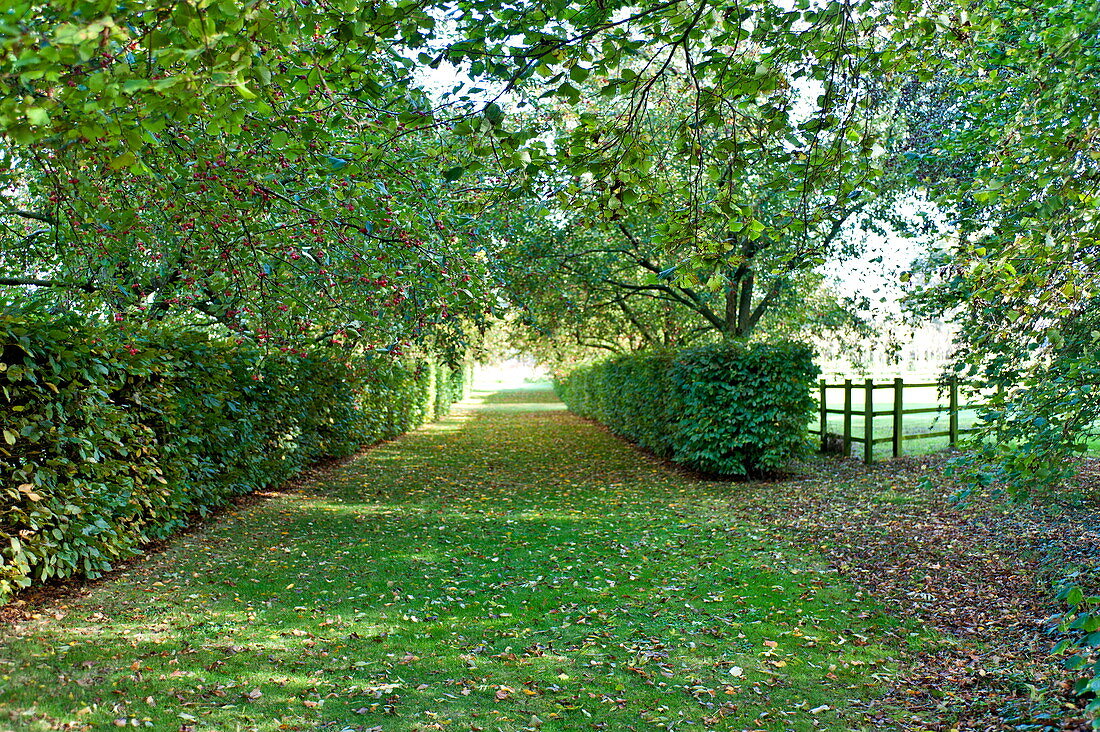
[{"x": 1020, "y": 275}]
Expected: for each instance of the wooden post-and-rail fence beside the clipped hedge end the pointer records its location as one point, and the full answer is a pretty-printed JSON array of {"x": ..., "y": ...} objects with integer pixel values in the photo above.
[{"x": 897, "y": 411}]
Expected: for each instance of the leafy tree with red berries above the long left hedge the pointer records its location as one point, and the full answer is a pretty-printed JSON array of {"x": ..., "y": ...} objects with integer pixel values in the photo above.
[{"x": 267, "y": 168}]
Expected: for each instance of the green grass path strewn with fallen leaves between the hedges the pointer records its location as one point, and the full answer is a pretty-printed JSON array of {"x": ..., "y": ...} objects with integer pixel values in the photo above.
[{"x": 512, "y": 569}]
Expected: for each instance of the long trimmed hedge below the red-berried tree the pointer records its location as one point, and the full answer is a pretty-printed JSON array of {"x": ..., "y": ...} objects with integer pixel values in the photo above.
[{"x": 105, "y": 449}]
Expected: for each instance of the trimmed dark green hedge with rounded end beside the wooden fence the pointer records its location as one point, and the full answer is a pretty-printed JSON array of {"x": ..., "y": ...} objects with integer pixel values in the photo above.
[{"x": 724, "y": 409}]
